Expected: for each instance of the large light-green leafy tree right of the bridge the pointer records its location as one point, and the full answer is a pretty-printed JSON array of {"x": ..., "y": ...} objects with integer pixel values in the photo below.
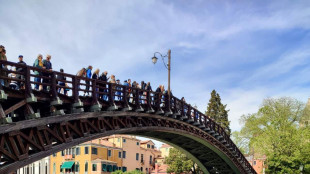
[{"x": 275, "y": 131}]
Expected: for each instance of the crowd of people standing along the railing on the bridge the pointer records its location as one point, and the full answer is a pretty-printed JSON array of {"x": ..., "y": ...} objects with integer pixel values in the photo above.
[{"x": 42, "y": 79}]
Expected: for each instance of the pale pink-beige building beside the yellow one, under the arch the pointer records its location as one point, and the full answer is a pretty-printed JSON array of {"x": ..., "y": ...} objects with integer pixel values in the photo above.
[{"x": 139, "y": 155}]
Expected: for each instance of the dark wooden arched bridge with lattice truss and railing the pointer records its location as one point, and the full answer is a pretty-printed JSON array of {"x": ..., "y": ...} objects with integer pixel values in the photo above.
[{"x": 35, "y": 124}]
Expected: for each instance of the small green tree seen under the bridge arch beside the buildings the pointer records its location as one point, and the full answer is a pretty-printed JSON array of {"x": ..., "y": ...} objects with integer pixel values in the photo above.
[{"x": 180, "y": 163}]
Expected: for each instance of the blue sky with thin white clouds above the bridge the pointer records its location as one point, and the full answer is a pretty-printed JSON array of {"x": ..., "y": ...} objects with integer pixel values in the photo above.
[{"x": 246, "y": 50}]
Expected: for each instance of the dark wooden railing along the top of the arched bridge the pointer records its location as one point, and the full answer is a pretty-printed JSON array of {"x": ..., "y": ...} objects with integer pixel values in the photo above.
[{"x": 112, "y": 94}]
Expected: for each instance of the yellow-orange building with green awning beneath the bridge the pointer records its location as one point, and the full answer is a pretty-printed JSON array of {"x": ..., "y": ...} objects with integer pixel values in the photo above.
[{"x": 93, "y": 157}]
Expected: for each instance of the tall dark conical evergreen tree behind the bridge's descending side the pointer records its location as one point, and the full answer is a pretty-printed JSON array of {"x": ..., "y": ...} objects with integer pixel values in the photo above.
[{"x": 217, "y": 111}]
